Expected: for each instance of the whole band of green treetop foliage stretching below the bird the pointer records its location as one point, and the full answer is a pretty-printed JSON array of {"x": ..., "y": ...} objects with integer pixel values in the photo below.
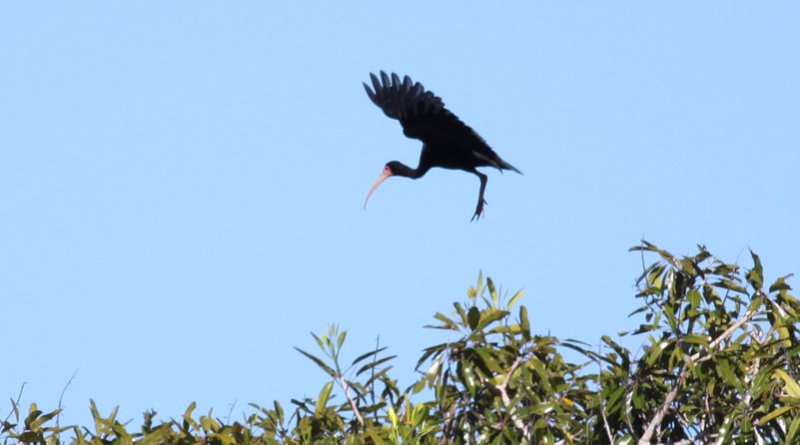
[{"x": 718, "y": 363}]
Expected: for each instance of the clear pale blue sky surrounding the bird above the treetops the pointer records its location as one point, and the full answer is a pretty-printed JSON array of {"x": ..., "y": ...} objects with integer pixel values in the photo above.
[{"x": 181, "y": 183}]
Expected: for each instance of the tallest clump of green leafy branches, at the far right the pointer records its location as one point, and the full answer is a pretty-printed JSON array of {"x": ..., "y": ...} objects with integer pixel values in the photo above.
[{"x": 720, "y": 359}]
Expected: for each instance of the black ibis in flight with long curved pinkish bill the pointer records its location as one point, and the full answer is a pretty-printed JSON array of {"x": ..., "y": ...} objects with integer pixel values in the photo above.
[{"x": 446, "y": 141}]
